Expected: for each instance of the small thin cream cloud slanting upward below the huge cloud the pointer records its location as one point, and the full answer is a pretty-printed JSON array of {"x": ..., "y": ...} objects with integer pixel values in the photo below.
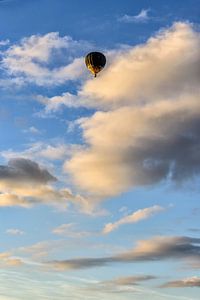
[{"x": 135, "y": 217}]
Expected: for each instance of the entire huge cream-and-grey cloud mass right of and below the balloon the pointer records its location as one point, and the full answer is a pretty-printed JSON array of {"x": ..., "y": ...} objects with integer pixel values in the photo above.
[{"x": 148, "y": 129}]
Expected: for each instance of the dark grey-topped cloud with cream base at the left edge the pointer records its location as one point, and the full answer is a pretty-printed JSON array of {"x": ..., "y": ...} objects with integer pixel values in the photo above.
[{"x": 24, "y": 183}]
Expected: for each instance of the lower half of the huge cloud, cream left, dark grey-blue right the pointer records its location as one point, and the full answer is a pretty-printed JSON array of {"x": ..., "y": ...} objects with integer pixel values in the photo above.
[{"x": 152, "y": 144}]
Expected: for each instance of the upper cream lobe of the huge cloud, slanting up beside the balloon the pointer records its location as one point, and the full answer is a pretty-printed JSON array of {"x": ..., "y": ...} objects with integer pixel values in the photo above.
[{"x": 165, "y": 67}]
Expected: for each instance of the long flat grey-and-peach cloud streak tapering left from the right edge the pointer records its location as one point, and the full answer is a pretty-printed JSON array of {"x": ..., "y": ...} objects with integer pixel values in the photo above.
[{"x": 155, "y": 249}]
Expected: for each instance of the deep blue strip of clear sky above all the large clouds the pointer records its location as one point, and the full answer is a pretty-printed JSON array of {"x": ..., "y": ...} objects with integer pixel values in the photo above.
[{"x": 88, "y": 20}]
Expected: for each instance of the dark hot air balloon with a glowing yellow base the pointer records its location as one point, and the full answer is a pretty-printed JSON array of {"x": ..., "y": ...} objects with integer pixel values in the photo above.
[{"x": 95, "y": 62}]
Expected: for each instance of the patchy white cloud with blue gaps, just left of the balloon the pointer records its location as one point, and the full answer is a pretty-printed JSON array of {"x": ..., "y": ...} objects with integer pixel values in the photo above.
[{"x": 45, "y": 59}]
